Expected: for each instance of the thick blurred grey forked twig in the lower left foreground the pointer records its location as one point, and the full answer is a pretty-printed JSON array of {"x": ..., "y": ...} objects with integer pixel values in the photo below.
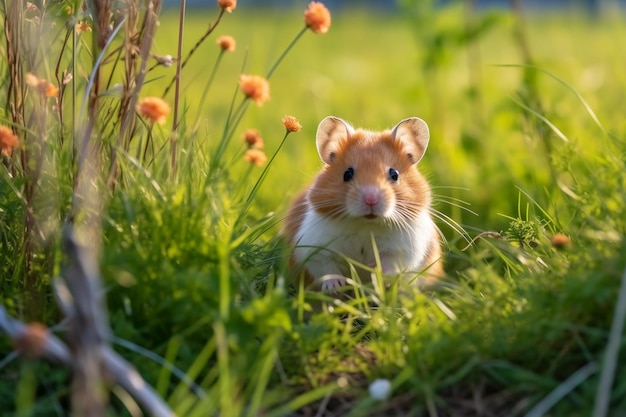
[{"x": 87, "y": 351}]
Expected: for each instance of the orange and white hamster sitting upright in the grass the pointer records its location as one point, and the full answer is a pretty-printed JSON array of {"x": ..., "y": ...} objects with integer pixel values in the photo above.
[{"x": 368, "y": 197}]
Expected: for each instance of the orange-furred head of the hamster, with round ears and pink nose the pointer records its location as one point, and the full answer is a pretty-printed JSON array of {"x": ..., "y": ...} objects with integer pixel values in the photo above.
[{"x": 371, "y": 176}]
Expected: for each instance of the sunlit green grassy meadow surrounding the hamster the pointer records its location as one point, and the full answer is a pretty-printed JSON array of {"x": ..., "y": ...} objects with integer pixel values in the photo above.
[{"x": 526, "y": 159}]
